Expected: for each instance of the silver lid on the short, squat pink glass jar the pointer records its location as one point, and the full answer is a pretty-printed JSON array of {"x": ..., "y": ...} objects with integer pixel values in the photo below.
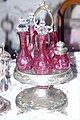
[{"x": 60, "y": 48}]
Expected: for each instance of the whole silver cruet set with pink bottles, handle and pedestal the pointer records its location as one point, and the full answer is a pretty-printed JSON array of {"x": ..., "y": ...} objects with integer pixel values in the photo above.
[{"x": 42, "y": 62}]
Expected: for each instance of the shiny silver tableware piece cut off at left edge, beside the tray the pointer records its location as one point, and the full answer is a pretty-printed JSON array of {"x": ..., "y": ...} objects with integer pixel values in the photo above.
[{"x": 5, "y": 60}]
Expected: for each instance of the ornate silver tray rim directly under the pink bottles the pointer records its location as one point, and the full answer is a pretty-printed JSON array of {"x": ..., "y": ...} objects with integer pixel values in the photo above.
[{"x": 57, "y": 77}]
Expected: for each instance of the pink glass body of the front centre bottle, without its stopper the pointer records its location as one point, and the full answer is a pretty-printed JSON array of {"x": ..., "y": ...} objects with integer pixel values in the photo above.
[{"x": 42, "y": 64}]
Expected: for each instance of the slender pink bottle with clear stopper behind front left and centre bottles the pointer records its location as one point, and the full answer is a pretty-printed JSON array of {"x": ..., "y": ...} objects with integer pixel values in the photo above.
[{"x": 32, "y": 47}]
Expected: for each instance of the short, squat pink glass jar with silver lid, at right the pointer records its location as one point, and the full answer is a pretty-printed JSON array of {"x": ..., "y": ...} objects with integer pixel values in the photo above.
[{"x": 60, "y": 60}]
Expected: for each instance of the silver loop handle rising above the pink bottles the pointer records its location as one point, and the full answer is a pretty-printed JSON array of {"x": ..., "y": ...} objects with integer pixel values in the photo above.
[{"x": 42, "y": 6}]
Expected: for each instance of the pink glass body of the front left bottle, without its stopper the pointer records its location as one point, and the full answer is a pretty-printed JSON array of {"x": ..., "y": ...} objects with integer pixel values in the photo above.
[{"x": 24, "y": 60}]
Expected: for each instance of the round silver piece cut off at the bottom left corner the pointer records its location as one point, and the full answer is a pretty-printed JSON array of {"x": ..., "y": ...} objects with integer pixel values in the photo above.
[{"x": 5, "y": 105}]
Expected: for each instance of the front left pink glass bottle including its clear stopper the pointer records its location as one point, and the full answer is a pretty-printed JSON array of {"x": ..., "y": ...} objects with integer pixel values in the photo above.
[{"x": 24, "y": 60}]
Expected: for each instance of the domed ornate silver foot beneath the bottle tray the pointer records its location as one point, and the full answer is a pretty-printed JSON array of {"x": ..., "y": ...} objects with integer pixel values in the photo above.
[{"x": 45, "y": 97}]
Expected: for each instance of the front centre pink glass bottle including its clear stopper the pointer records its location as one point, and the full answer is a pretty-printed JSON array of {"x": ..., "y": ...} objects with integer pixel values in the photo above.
[{"x": 42, "y": 64}]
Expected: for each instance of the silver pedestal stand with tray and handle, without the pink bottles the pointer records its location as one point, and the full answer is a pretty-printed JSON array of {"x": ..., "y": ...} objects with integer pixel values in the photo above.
[{"x": 43, "y": 95}]
